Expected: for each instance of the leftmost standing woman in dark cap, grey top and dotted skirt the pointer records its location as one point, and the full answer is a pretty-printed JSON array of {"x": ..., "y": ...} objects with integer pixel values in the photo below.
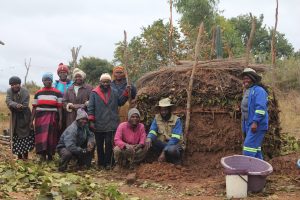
[{"x": 17, "y": 100}]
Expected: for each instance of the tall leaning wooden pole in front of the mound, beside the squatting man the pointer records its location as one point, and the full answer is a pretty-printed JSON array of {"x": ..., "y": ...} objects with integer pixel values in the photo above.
[{"x": 190, "y": 86}]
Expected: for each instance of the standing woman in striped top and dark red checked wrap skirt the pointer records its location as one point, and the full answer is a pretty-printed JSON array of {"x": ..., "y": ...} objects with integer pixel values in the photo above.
[{"x": 47, "y": 112}]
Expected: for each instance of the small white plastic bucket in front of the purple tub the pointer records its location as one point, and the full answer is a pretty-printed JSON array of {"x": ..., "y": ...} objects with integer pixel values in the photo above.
[{"x": 236, "y": 186}]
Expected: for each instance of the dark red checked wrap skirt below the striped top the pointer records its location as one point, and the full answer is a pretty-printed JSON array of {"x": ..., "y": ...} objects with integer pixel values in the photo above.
[{"x": 46, "y": 132}]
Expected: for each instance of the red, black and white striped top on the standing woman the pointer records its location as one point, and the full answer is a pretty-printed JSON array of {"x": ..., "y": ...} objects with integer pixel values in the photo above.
[{"x": 47, "y": 99}]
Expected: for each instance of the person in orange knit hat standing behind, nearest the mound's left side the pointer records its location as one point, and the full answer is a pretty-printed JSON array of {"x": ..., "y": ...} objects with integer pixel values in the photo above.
[{"x": 119, "y": 83}]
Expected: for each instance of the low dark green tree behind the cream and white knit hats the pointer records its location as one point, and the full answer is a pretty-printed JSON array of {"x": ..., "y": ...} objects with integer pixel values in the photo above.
[{"x": 94, "y": 67}]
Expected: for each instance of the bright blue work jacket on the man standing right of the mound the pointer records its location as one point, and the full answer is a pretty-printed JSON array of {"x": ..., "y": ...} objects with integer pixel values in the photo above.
[{"x": 257, "y": 109}]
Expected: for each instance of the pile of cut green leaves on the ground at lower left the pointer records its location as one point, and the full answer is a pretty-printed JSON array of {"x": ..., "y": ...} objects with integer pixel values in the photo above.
[{"x": 43, "y": 182}]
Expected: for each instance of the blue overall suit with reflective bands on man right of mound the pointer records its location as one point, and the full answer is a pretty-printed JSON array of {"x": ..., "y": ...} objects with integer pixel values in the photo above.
[{"x": 257, "y": 112}]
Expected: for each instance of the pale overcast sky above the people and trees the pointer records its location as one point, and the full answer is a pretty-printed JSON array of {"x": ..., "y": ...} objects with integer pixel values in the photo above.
[{"x": 46, "y": 30}]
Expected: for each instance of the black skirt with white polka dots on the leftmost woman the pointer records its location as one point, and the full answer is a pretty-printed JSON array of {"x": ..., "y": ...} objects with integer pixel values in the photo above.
[{"x": 23, "y": 145}]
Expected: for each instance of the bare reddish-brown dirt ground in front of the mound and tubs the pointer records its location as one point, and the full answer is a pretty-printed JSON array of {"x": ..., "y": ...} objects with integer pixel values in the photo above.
[{"x": 167, "y": 181}]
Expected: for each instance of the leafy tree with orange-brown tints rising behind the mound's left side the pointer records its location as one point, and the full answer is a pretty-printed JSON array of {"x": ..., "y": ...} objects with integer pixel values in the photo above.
[{"x": 150, "y": 50}]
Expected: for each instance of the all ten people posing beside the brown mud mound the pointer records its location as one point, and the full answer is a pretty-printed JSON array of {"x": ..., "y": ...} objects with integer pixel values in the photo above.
[{"x": 72, "y": 118}]
